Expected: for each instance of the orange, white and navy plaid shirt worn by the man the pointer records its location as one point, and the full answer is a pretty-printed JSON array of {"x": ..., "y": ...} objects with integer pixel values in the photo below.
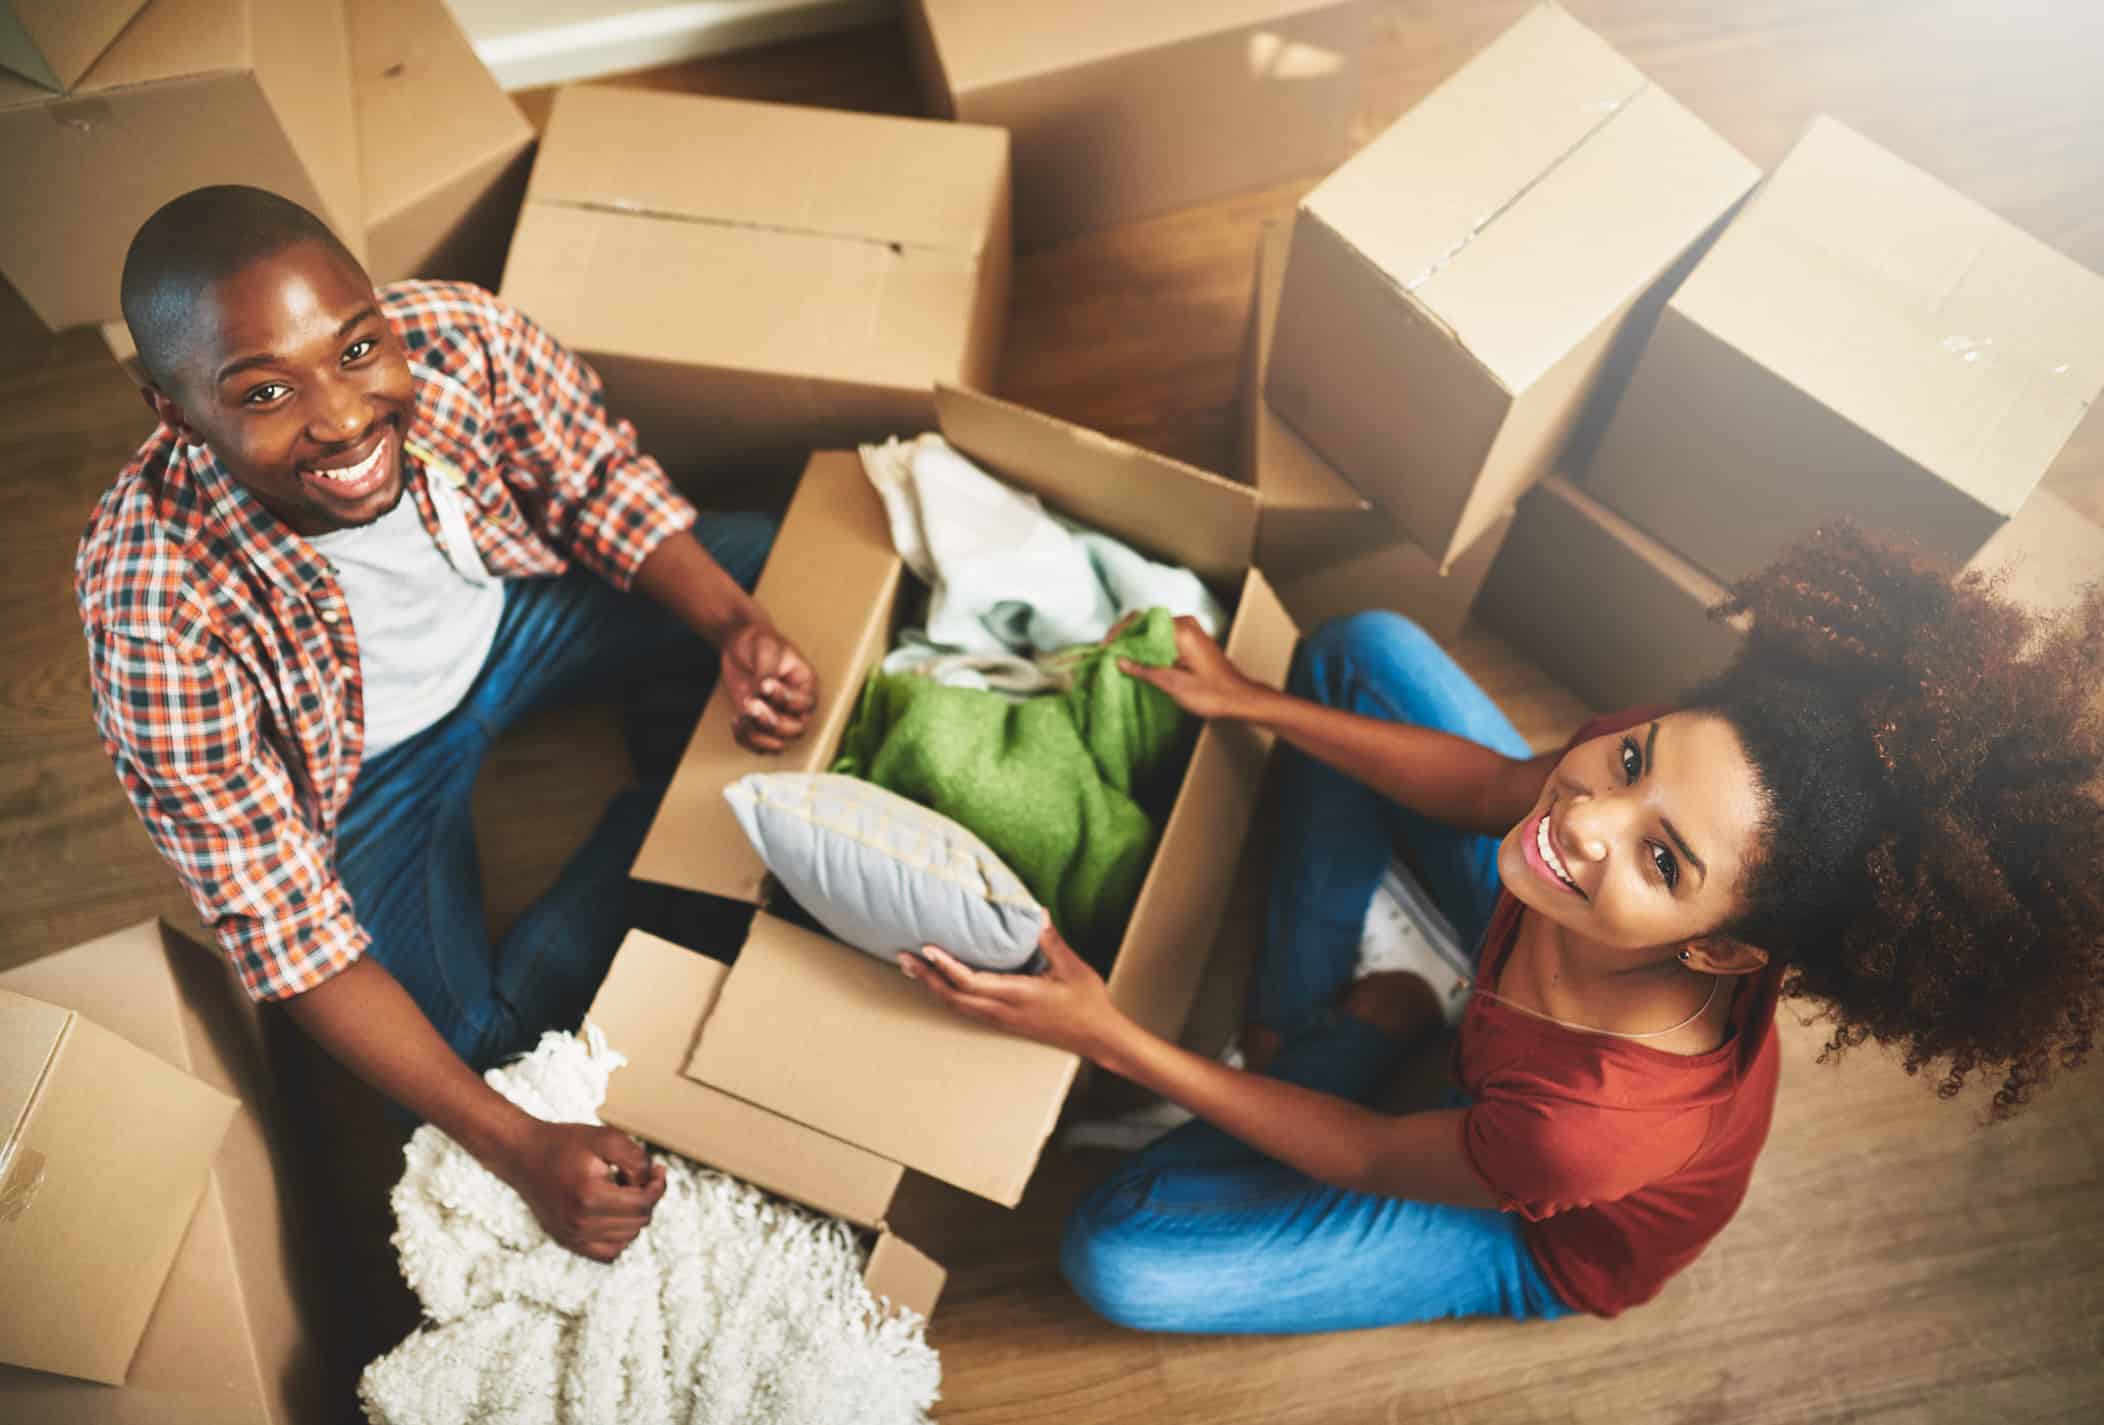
[{"x": 222, "y": 651}]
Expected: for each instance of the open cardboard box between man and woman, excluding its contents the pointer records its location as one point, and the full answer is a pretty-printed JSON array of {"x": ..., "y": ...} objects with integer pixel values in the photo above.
[{"x": 836, "y": 1041}]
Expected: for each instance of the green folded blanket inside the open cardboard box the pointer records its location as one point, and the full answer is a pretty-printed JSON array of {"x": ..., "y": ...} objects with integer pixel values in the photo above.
[{"x": 1053, "y": 784}]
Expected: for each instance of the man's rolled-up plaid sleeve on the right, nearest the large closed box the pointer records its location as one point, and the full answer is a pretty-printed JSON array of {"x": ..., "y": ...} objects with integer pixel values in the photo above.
[{"x": 575, "y": 468}]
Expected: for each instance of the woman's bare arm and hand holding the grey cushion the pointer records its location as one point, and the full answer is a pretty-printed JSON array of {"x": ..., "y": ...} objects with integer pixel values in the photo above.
[{"x": 1331, "y": 1140}]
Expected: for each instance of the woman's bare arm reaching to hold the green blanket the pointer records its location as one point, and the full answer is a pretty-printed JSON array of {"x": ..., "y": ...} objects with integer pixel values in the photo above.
[{"x": 1438, "y": 776}]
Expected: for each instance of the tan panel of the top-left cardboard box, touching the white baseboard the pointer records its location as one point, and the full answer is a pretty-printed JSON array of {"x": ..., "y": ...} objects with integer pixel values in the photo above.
[{"x": 426, "y": 106}]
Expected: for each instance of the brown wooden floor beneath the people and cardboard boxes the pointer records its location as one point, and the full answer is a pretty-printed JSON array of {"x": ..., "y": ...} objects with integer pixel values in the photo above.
[{"x": 1895, "y": 1262}]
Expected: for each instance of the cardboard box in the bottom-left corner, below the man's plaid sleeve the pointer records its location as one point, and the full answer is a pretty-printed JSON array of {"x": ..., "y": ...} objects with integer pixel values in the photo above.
[{"x": 153, "y": 1232}]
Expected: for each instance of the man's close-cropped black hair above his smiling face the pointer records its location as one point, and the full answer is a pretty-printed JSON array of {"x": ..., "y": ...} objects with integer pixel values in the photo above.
[{"x": 197, "y": 241}]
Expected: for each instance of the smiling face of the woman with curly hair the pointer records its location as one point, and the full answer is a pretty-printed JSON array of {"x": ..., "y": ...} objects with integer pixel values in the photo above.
[{"x": 1642, "y": 839}]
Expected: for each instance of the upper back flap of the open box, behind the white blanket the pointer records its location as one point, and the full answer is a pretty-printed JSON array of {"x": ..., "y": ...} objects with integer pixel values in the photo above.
[{"x": 1167, "y": 508}]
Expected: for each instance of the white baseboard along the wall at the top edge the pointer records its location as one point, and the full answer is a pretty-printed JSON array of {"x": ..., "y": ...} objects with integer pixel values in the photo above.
[{"x": 529, "y": 43}]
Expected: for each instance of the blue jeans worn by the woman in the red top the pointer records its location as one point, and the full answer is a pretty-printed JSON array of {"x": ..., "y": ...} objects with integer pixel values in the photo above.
[{"x": 1202, "y": 1232}]
